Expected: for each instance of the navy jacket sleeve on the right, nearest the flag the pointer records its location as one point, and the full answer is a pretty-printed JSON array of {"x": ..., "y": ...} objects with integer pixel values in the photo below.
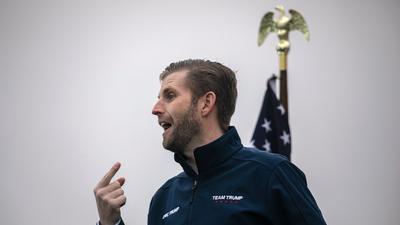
[{"x": 288, "y": 198}]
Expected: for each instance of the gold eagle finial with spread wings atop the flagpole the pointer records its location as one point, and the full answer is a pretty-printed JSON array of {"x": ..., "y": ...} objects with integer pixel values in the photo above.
[{"x": 282, "y": 26}]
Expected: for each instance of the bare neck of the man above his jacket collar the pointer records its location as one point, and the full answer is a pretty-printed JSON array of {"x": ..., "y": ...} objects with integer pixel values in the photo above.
[{"x": 208, "y": 134}]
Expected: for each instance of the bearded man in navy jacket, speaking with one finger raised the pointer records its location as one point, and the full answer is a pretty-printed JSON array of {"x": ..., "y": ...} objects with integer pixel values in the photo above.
[{"x": 223, "y": 182}]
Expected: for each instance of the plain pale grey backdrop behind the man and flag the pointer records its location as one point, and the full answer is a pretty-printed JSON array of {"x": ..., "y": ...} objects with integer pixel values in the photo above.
[{"x": 79, "y": 78}]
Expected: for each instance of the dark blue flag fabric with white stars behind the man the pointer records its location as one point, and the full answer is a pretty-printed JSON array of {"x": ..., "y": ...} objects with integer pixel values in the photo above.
[{"x": 272, "y": 131}]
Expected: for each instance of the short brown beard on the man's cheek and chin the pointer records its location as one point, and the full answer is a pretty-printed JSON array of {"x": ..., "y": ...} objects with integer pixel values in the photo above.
[{"x": 183, "y": 133}]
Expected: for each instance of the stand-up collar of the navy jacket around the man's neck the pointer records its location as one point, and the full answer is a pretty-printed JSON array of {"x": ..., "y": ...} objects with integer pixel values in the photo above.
[{"x": 213, "y": 153}]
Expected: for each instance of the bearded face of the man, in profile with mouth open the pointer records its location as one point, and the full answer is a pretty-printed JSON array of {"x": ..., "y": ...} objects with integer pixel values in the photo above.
[{"x": 176, "y": 113}]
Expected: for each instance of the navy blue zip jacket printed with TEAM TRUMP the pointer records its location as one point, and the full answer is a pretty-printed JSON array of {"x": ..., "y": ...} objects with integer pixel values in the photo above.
[{"x": 235, "y": 185}]
